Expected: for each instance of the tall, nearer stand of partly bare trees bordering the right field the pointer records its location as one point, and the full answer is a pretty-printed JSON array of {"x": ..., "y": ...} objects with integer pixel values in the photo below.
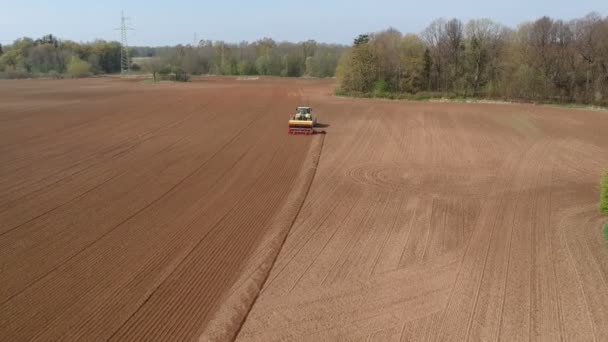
[{"x": 544, "y": 60}]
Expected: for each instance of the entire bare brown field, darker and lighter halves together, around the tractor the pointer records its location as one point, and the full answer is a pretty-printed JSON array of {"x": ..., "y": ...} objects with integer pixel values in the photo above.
[{"x": 137, "y": 212}]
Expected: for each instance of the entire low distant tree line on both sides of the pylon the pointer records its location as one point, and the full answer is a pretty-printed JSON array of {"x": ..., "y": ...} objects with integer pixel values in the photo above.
[{"x": 50, "y": 56}]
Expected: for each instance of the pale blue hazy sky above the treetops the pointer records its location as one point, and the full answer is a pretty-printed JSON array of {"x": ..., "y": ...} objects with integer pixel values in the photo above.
[{"x": 172, "y": 22}]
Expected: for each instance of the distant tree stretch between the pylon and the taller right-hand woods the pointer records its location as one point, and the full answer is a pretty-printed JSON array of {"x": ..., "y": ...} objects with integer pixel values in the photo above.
[{"x": 262, "y": 57}]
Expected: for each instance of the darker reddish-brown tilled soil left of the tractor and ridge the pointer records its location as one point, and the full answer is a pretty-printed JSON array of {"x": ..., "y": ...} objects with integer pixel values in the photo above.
[{"x": 127, "y": 210}]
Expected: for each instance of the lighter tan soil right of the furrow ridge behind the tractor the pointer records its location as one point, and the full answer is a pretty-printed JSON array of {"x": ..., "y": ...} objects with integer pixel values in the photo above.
[{"x": 432, "y": 221}]
